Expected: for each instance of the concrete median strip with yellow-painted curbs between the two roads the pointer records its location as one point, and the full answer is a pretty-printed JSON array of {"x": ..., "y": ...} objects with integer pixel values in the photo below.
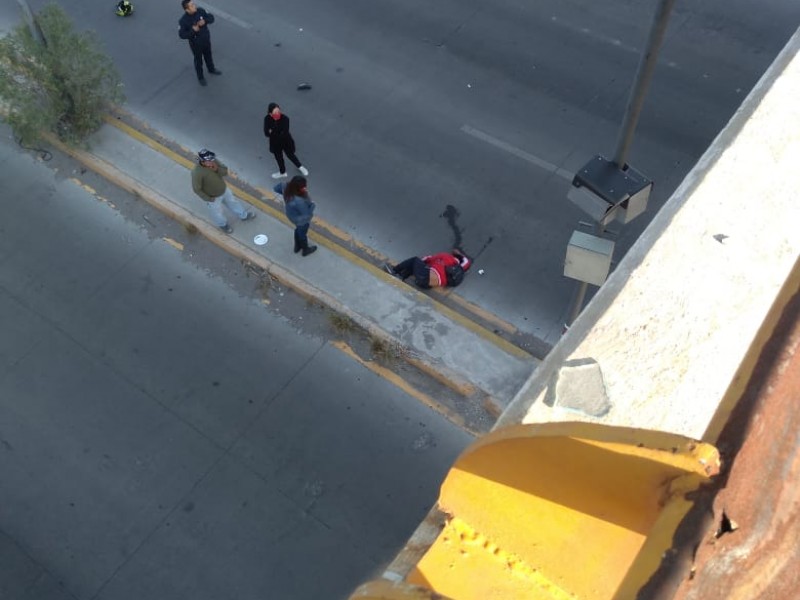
[{"x": 447, "y": 343}]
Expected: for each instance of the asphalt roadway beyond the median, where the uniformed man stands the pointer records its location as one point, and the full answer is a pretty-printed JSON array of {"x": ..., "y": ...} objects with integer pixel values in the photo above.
[{"x": 485, "y": 108}]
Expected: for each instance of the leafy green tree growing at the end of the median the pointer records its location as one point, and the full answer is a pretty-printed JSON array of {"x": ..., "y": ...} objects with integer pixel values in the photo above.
[{"x": 63, "y": 85}]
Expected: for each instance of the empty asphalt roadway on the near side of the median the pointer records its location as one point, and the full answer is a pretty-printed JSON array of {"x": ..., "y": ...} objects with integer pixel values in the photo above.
[{"x": 165, "y": 435}]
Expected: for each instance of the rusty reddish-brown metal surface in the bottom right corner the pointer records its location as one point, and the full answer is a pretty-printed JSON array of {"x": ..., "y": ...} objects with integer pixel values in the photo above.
[{"x": 742, "y": 539}]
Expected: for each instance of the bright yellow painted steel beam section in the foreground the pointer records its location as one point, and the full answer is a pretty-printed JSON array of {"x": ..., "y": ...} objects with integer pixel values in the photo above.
[{"x": 561, "y": 510}]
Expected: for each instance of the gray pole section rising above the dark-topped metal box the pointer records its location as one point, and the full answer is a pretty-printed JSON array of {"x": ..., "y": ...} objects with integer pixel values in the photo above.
[{"x": 647, "y": 64}]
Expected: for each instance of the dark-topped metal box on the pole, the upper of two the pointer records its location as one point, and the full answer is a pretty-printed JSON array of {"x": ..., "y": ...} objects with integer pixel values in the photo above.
[{"x": 601, "y": 187}]
